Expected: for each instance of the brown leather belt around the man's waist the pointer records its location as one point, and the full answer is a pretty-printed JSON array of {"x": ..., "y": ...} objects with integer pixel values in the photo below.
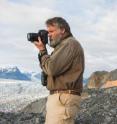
[{"x": 65, "y": 91}]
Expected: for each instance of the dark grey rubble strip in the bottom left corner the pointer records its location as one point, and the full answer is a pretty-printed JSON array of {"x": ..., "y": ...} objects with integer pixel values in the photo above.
[{"x": 21, "y": 118}]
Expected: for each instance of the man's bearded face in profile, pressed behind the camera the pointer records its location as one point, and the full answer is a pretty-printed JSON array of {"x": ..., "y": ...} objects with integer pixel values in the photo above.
[{"x": 55, "y": 34}]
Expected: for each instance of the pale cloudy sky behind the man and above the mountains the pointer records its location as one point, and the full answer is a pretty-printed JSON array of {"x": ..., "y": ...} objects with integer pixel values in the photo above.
[{"x": 93, "y": 23}]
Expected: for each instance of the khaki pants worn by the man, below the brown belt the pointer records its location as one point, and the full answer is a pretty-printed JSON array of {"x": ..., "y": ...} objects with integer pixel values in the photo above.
[{"x": 62, "y": 108}]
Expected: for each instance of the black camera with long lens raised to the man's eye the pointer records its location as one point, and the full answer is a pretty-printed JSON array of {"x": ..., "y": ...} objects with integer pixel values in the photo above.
[{"x": 43, "y": 34}]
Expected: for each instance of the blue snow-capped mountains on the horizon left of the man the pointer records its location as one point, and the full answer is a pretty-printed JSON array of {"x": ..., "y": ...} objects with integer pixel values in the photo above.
[{"x": 15, "y": 73}]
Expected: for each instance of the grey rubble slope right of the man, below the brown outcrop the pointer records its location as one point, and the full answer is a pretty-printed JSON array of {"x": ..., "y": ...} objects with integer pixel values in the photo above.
[{"x": 99, "y": 108}]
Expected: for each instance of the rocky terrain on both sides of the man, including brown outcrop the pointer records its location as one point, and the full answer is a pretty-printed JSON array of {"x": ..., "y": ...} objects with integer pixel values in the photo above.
[{"x": 98, "y": 106}]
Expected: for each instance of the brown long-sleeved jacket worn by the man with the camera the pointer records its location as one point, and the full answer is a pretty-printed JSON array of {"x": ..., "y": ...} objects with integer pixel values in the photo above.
[{"x": 65, "y": 66}]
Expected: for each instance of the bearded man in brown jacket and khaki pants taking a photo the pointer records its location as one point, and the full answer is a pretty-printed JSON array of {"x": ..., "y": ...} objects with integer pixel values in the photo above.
[{"x": 64, "y": 69}]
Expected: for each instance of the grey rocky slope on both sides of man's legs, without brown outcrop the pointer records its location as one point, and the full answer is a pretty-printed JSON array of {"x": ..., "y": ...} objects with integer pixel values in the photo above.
[{"x": 98, "y": 107}]
